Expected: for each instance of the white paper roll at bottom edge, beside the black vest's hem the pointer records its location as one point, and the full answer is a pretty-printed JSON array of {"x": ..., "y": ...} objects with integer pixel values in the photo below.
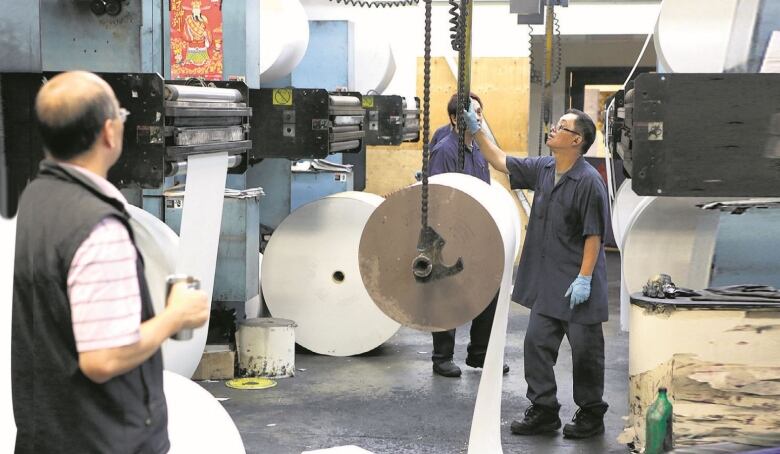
[{"x": 197, "y": 422}]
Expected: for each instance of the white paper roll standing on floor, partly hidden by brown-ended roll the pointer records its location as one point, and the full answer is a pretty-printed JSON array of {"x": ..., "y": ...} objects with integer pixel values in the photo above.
[{"x": 310, "y": 275}]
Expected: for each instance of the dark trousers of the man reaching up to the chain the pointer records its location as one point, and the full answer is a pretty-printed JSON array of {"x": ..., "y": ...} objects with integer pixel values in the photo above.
[{"x": 542, "y": 341}]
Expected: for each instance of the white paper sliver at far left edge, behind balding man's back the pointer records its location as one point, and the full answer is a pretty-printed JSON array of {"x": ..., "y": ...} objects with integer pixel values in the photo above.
[{"x": 7, "y": 245}]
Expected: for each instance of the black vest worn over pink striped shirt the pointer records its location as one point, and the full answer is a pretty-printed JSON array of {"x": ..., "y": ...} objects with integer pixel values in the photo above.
[{"x": 56, "y": 407}]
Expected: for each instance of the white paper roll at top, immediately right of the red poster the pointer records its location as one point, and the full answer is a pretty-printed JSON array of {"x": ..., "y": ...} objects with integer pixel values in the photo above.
[{"x": 284, "y": 37}]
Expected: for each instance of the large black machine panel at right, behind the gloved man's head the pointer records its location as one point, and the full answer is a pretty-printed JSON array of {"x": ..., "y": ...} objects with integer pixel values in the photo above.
[{"x": 676, "y": 137}]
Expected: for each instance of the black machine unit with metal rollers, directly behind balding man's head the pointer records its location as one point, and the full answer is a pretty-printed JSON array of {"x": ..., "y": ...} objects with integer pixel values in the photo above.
[{"x": 168, "y": 121}]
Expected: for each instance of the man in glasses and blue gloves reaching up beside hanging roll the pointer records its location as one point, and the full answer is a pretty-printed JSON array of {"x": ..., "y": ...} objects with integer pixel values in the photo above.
[{"x": 562, "y": 273}]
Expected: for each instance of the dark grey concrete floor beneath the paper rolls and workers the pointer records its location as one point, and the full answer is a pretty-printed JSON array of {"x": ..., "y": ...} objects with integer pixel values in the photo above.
[{"x": 389, "y": 401}]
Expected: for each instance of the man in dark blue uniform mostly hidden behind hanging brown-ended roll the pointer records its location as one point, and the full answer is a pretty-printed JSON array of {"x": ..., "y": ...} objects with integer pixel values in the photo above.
[{"x": 444, "y": 158}]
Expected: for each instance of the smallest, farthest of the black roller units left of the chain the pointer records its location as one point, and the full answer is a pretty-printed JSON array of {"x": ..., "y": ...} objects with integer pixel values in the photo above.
[{"x": 391, "y": 120}]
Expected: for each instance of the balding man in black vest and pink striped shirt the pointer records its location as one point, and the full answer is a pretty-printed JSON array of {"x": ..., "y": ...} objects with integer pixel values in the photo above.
[{"x": 86, "y": 367}]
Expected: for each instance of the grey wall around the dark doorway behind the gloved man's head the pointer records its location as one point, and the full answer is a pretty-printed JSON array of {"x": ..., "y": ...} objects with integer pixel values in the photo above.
[{"x": 581, "y": 51}]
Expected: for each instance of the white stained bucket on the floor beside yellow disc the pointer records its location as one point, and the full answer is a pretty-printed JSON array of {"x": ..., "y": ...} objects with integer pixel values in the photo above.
[{"x": 266, "y": 347}]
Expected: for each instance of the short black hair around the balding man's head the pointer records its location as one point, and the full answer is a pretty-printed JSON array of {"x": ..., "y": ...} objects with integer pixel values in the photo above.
[{"x": 69, "y": 134}]
